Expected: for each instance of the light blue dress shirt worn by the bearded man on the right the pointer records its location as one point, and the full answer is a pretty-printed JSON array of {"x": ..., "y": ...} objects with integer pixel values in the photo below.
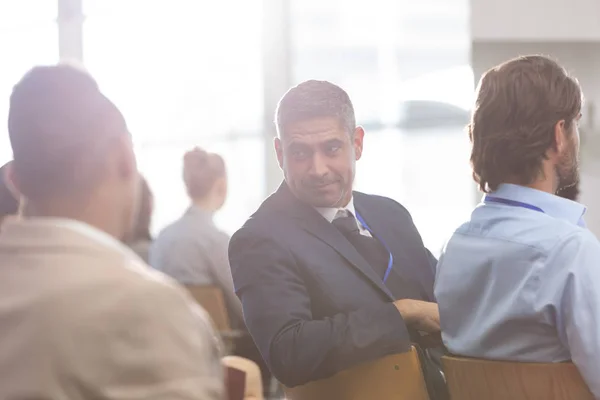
[{"x": 518, "y": 284}]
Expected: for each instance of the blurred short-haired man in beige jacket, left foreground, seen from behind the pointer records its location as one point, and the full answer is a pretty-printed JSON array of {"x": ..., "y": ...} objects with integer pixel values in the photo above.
[{"x": 81, "y": 316}]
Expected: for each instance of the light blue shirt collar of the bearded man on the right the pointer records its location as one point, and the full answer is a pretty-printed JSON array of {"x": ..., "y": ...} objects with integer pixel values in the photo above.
[{"x": 554, "y": 206}]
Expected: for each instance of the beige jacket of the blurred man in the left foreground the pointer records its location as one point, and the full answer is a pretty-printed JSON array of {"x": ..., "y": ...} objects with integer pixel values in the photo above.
[{"x": 82, "y": 317}]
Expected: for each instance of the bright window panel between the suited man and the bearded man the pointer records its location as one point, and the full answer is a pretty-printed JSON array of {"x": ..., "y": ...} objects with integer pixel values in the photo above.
[{"x": 405, "y": 64}]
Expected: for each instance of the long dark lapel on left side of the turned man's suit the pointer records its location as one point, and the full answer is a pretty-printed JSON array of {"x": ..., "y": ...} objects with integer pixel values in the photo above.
[{"x": 313, "y": 223}]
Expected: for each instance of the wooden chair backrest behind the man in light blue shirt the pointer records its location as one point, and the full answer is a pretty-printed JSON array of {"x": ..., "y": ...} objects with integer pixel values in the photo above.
[{"x": 475, "y": 379}]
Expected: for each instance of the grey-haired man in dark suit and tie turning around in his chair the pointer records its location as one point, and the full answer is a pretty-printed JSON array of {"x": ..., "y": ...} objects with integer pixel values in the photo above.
[{"x": 329, "y": 278}]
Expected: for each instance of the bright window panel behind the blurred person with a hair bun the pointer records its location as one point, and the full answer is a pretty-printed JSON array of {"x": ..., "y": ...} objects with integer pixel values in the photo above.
[{"x": 184, "y": 73}]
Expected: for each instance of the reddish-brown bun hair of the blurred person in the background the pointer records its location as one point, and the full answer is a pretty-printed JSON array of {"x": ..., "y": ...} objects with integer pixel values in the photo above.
[{"x": 200, "y": 171}]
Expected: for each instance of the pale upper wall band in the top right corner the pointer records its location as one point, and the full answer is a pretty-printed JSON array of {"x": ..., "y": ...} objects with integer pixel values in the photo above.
[{"x": 536, "y": 20}]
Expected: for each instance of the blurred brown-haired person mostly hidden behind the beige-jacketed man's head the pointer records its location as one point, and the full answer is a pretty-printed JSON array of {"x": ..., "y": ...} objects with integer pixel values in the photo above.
[{"x": 140, "y": 239}]
